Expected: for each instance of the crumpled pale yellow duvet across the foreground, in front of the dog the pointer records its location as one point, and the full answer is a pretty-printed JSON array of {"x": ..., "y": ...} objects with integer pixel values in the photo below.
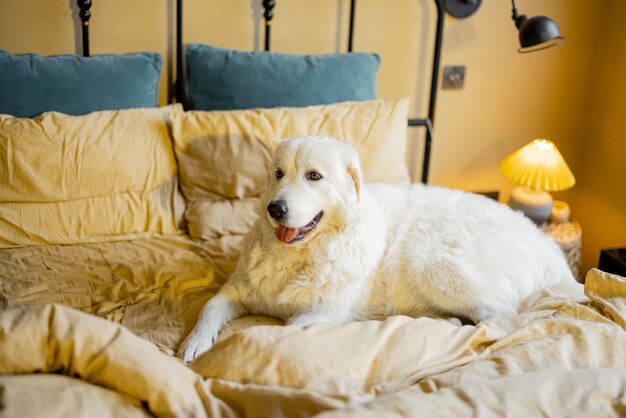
[{"x": 563, "y": 355}]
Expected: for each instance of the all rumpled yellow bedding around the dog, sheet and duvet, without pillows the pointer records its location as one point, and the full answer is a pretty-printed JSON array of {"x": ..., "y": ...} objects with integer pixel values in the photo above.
[{"x": 105, "y": 339}]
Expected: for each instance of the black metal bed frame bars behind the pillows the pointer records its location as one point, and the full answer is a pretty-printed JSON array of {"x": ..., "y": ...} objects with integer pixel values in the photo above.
[{"x": 268, "y": 7}]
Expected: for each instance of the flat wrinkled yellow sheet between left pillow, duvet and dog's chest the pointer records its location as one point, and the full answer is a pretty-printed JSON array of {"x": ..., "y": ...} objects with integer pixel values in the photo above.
[{"x": 154, "y": 287}]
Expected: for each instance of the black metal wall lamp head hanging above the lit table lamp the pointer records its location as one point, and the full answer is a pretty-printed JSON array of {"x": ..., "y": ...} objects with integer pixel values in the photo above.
[{"x": 536, "y": 33}]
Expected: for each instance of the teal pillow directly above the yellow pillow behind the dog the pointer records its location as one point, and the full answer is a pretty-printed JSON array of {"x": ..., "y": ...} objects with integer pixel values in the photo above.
[{"x": 223, "y": 79}]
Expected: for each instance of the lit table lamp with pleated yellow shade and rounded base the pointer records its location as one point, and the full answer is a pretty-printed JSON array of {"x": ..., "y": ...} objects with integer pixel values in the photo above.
[{"x": 537, "y": 168}]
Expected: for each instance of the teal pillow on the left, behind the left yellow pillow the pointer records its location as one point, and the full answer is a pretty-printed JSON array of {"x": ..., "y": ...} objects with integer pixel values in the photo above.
[{"x": 31, "y": 84}]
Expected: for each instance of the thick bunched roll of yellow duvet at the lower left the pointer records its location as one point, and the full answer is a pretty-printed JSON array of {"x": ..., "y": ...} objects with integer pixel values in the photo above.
[{"x": 54, "y": 338}]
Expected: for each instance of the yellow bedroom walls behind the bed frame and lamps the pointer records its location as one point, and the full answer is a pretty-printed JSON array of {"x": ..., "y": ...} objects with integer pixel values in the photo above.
[{"x": 572, "y": 94}]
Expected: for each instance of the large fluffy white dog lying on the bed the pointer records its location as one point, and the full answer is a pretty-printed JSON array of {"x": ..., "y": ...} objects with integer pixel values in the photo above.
[{"x": 327, "y": 248}]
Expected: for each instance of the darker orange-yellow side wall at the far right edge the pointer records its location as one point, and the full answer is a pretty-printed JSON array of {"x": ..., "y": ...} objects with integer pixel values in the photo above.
[{"x": 600, "y": 195}]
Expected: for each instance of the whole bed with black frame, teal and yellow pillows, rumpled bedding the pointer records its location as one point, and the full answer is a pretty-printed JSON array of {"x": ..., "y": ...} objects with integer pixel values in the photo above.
[{"x": 120, "y": 219}]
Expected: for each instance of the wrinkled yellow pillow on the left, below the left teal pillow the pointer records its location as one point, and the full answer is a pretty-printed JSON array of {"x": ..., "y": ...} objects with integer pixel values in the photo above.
[{"x": 106, "y": 175}]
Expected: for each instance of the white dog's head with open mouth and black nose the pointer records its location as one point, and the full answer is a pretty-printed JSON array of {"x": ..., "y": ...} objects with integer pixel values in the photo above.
[{"x": 313, "y": 183}]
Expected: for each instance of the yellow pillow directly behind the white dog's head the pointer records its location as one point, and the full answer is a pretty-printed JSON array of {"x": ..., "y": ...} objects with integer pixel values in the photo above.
[{"x": 223, "y": 156}]
